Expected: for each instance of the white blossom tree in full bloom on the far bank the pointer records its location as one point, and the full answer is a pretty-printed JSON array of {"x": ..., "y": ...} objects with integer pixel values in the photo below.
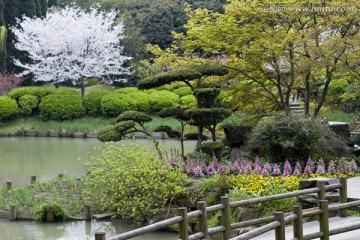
[{"x": 71, "y": 44}]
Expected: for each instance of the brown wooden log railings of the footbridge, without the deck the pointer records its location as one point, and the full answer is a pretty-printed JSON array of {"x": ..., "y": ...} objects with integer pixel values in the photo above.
[{"x": 276, "y": 222}]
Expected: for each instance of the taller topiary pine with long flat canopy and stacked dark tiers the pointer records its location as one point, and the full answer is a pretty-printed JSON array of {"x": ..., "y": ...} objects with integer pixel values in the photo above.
[{"x": 208, "y": 114}]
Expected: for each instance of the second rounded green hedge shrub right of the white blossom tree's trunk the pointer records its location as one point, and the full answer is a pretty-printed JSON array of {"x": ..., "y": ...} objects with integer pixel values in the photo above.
[{"x": 114, "y": 104}]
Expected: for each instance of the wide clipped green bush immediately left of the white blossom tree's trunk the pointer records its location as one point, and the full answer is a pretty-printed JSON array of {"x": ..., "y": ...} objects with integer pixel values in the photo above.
[{"x": 61, "y": 107}]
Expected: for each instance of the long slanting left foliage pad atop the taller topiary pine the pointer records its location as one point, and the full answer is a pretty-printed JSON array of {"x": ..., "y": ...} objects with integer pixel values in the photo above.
[{"x": 169, "y": 77}]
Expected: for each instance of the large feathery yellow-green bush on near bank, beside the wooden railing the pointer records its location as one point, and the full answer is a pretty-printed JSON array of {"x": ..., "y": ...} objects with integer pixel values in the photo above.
[{"x": 133, "y": 182}]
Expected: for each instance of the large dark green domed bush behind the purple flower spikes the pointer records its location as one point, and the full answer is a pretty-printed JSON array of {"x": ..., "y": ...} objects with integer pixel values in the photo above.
[{"x": 295, "y": 138}]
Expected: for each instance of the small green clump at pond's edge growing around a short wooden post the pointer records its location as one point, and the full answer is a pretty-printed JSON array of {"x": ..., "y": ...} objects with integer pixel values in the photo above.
[{"x": 57, "y": 209}]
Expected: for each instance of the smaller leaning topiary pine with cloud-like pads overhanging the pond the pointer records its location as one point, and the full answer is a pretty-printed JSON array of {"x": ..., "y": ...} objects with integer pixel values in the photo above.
[{"x": 126, "y": 124}]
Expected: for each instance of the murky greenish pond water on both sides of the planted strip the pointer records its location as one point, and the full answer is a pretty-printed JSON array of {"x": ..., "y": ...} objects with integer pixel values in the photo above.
[{"x": 45, "y": 158}]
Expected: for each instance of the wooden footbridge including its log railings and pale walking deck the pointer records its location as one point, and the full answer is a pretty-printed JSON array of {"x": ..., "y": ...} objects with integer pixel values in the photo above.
[{"x": 273, "y": 227}]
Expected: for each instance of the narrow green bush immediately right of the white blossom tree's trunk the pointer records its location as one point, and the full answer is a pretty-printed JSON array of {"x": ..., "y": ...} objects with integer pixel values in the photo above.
[{"x": 92, "y": 101}]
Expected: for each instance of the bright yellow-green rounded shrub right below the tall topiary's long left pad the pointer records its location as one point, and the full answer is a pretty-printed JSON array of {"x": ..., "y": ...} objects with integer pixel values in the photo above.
[{"x": 162, "y": 99}]
